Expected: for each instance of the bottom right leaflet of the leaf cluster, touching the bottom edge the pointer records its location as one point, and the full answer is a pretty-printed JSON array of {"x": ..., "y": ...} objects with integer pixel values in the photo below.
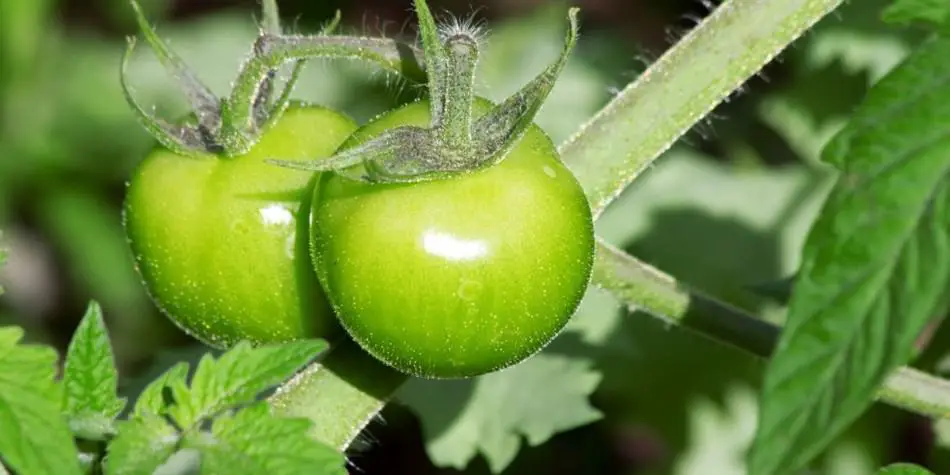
[{"x": 252, "y": 441}]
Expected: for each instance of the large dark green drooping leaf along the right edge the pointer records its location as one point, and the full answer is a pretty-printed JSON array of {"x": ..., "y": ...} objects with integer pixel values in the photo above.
[{"x": 875, "y": 265}]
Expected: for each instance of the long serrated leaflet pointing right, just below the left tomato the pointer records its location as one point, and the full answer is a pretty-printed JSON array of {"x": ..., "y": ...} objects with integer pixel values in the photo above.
[{"x": 237, "y": 377}]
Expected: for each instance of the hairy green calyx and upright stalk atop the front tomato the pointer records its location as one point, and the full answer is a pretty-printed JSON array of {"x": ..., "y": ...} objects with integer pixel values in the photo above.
[{"x": 456, "y": 142}]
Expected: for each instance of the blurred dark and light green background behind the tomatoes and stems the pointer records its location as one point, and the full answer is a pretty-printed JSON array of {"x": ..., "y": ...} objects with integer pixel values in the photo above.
[{"x": 726, "y": 209}]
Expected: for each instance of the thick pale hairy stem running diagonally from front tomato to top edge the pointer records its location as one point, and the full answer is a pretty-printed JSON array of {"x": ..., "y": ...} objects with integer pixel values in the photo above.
[{"x": 684, "y": 85}]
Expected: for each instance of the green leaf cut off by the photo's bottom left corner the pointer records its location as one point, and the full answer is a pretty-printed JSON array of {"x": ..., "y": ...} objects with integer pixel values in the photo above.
[{"x": 34, "y": 437}]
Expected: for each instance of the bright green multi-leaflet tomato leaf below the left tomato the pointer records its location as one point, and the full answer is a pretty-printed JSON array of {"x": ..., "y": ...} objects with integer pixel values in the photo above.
[{"x": 249, "y": 440}]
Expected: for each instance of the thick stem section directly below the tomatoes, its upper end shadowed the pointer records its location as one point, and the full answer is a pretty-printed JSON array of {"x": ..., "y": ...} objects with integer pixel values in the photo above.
[{"x": 341, "y": 393}]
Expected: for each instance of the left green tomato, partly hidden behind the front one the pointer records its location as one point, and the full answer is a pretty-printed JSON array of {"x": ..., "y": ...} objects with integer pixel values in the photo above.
[{"x": 221, "y": 243}]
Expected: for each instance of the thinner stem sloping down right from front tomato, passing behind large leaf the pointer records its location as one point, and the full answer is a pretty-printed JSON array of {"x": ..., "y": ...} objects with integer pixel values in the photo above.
[{"x": 641, "y": 286}]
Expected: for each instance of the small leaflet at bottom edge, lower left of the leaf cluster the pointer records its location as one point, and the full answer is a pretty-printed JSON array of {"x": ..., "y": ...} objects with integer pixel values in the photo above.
[{"x": 142, "y": 445}]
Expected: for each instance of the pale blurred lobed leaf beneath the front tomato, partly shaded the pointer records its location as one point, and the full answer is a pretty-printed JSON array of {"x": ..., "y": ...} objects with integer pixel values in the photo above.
[{"x": 488, "y": 415}]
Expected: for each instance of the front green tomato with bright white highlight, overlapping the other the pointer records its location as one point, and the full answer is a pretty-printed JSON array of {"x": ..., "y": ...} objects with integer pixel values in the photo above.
[{"x": 458, "y": 277}]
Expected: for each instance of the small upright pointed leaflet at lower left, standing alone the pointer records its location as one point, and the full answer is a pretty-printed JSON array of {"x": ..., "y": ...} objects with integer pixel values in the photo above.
[{"x": 90, "y": 379}]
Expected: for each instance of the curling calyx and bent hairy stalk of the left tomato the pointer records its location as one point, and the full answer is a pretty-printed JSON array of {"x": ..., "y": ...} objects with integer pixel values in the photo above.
[{"x": 231, "y": 126}]
